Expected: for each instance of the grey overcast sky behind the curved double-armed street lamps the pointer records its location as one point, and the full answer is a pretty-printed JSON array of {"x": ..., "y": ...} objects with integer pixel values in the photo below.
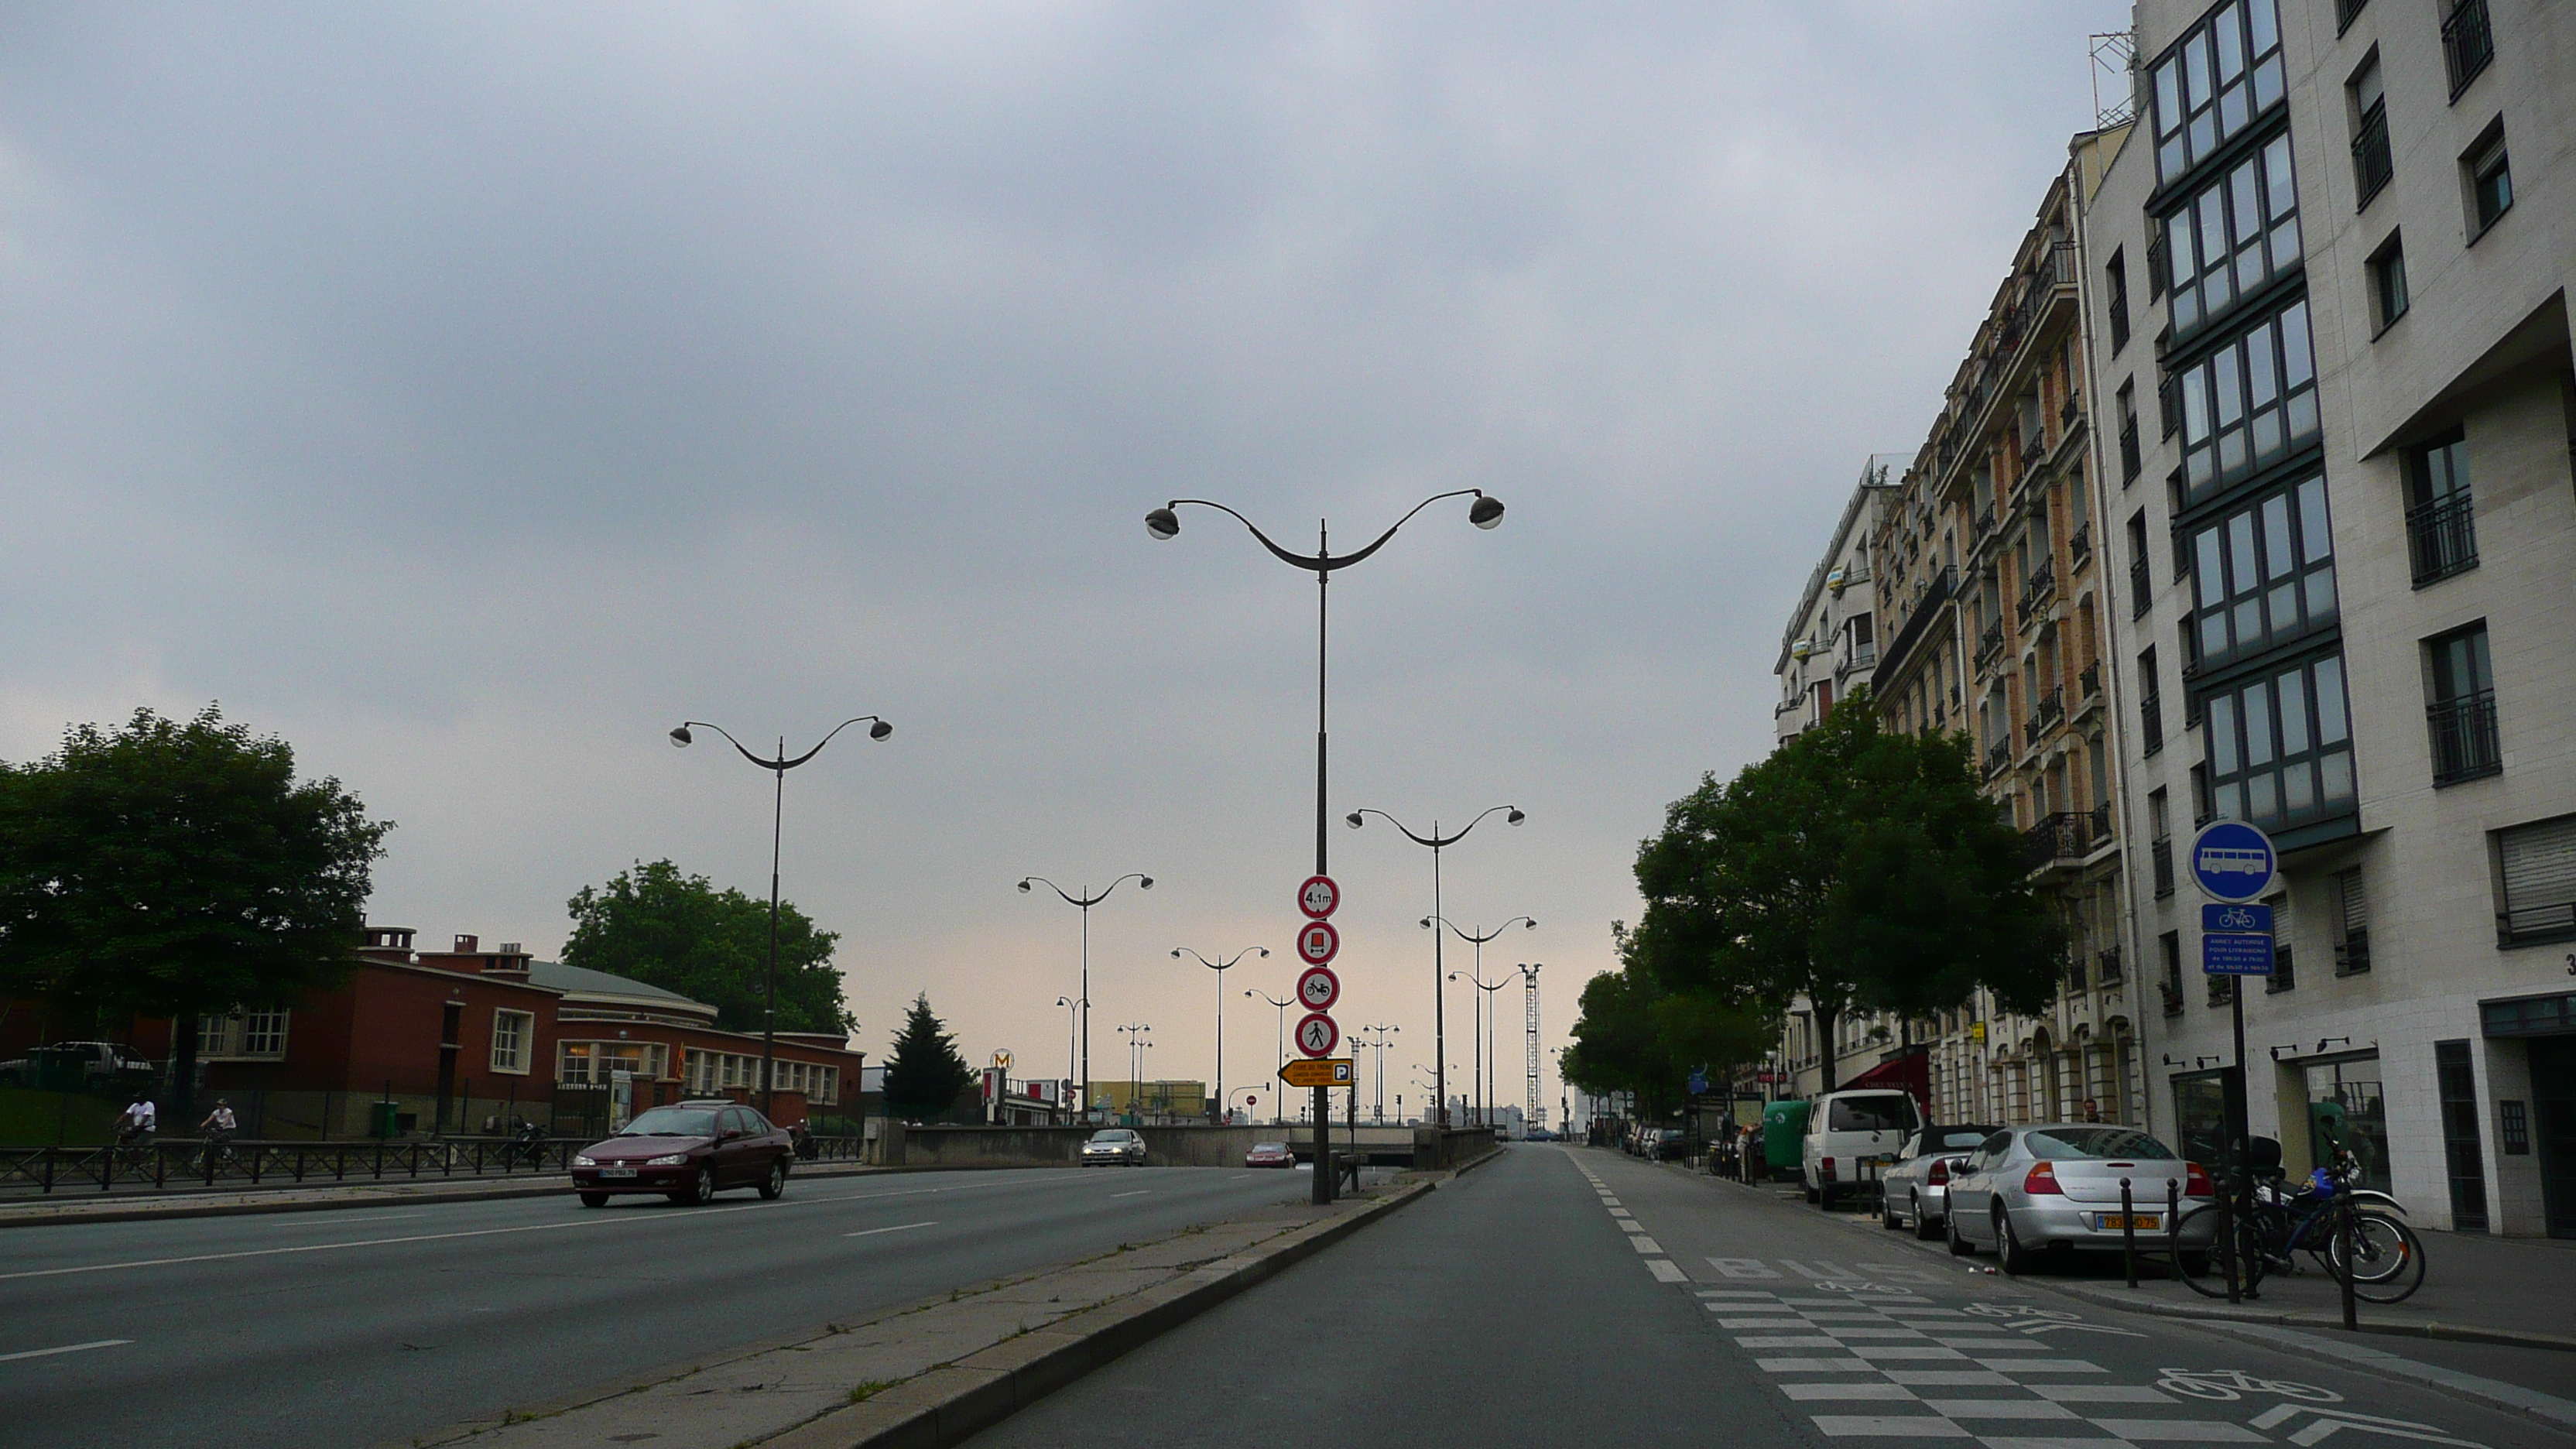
[{"x": 470, "y": 393}]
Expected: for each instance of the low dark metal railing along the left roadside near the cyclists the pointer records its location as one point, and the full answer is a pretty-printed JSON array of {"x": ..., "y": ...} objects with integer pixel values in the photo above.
[{"x": 184, "y": 1162}]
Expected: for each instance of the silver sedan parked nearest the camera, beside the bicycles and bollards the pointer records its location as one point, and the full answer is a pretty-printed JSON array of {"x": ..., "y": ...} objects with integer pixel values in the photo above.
[{"x": 2031, "y": 1190}]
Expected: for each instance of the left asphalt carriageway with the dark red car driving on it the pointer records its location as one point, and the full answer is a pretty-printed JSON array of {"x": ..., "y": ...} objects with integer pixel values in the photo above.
[{"x": 349, "y": 1329}]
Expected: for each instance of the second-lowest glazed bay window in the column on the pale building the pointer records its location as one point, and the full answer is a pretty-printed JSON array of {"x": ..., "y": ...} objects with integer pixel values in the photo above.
[{"x": 2263, "y": 576}]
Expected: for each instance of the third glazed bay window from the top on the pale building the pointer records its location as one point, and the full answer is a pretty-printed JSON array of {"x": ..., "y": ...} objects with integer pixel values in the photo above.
[{"x": 2250, "y": 404}]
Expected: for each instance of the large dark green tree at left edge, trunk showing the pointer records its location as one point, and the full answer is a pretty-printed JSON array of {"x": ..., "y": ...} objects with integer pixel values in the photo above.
[{"x": 179, "y": 870}]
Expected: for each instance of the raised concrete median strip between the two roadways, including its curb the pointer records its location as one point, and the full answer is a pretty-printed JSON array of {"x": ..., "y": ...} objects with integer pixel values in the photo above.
[{"x": 947, "y": 1368}]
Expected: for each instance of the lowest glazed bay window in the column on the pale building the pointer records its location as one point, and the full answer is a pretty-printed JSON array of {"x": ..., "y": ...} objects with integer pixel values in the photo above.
[{"x": 2281, "y": 749}]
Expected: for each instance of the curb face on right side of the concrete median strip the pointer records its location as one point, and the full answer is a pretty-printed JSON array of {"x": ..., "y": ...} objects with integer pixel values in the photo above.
[{"x": 952, "y": 1404}]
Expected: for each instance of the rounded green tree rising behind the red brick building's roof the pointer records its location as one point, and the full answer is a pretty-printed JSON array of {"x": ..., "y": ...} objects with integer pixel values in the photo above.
[{"x": 710, "y": 945}]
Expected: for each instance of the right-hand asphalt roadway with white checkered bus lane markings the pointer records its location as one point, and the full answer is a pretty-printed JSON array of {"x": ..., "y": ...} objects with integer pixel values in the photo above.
[{"x": 1583, "y": 1298}]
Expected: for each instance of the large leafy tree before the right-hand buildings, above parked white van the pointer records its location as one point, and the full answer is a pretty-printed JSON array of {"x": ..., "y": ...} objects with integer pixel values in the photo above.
[{"x": 1853, "y": 868}]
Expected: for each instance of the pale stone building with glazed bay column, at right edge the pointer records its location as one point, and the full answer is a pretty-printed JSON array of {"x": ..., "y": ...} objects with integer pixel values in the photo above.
[{"x": 2327, "y": 316}]
